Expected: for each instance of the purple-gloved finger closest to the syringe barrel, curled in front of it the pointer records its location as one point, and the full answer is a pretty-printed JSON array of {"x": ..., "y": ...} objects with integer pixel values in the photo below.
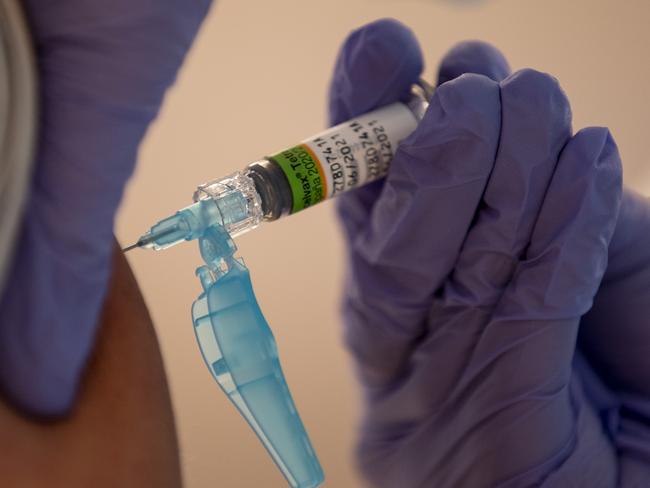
[{"x": 410, "y": 241}]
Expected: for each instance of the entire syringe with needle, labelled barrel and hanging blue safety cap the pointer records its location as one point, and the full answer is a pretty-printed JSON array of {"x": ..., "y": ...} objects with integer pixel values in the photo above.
[{"x": 236, "y": 342}]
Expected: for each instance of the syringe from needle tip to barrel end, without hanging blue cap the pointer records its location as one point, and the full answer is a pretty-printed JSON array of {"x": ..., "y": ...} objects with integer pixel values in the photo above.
[{"x": 339, "y": 159}]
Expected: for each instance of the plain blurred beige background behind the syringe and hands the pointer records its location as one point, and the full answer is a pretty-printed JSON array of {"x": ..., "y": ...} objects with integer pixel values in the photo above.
[{"x": 255, "y": 82}]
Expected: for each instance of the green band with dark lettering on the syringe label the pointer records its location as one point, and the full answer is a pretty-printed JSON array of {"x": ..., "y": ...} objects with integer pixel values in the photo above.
[{"x": 303, "y": 173}]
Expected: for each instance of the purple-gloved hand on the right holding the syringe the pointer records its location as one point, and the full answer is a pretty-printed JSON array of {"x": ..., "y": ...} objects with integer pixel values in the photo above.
[{"x": 471, "y": 268}]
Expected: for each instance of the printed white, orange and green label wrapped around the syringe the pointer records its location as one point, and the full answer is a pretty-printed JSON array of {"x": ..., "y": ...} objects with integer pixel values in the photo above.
[{"x": 346, "y": 156}]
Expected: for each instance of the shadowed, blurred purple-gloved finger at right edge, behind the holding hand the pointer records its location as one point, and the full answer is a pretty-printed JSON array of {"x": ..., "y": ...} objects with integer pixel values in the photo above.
[{"x": 614, "y": 334}]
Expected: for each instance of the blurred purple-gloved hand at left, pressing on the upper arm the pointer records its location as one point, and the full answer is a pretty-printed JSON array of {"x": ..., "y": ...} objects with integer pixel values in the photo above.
[{"x": 104, "y": 68}]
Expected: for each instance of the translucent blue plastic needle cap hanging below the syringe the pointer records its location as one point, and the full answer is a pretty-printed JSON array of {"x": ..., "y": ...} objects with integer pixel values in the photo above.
[{"x": 240, "y": 351}]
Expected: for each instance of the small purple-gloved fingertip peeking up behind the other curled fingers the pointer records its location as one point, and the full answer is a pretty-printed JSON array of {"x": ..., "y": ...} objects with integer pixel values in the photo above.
[{"x": 476, "y": 57}]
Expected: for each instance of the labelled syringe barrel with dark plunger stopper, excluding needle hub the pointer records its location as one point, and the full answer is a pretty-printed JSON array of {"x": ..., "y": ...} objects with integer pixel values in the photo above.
[{"x": 334, "y": 161}]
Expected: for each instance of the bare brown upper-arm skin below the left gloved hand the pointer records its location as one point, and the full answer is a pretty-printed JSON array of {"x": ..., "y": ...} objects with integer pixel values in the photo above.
[{"x": 121, "y": 431}]
